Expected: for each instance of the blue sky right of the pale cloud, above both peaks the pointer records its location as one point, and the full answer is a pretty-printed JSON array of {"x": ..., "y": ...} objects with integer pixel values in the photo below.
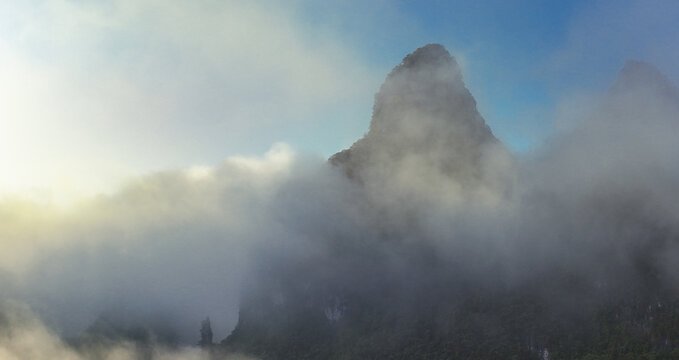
[{"x": 521, "y": 58}]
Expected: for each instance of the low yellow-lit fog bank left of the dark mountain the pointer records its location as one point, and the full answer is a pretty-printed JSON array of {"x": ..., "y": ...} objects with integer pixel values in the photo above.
[{"x": 182, "y": 236}]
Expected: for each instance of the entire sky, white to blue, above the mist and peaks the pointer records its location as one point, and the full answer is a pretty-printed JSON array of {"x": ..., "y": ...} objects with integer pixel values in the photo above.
[{"x": 95, "y": 92}]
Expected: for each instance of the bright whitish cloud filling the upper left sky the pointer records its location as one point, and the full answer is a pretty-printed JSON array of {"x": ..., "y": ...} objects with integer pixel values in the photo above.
[{"x": 100, "y": 91}]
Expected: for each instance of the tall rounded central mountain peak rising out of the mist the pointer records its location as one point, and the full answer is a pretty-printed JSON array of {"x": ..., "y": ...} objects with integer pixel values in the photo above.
[{"x": 423, "y": 114}]
